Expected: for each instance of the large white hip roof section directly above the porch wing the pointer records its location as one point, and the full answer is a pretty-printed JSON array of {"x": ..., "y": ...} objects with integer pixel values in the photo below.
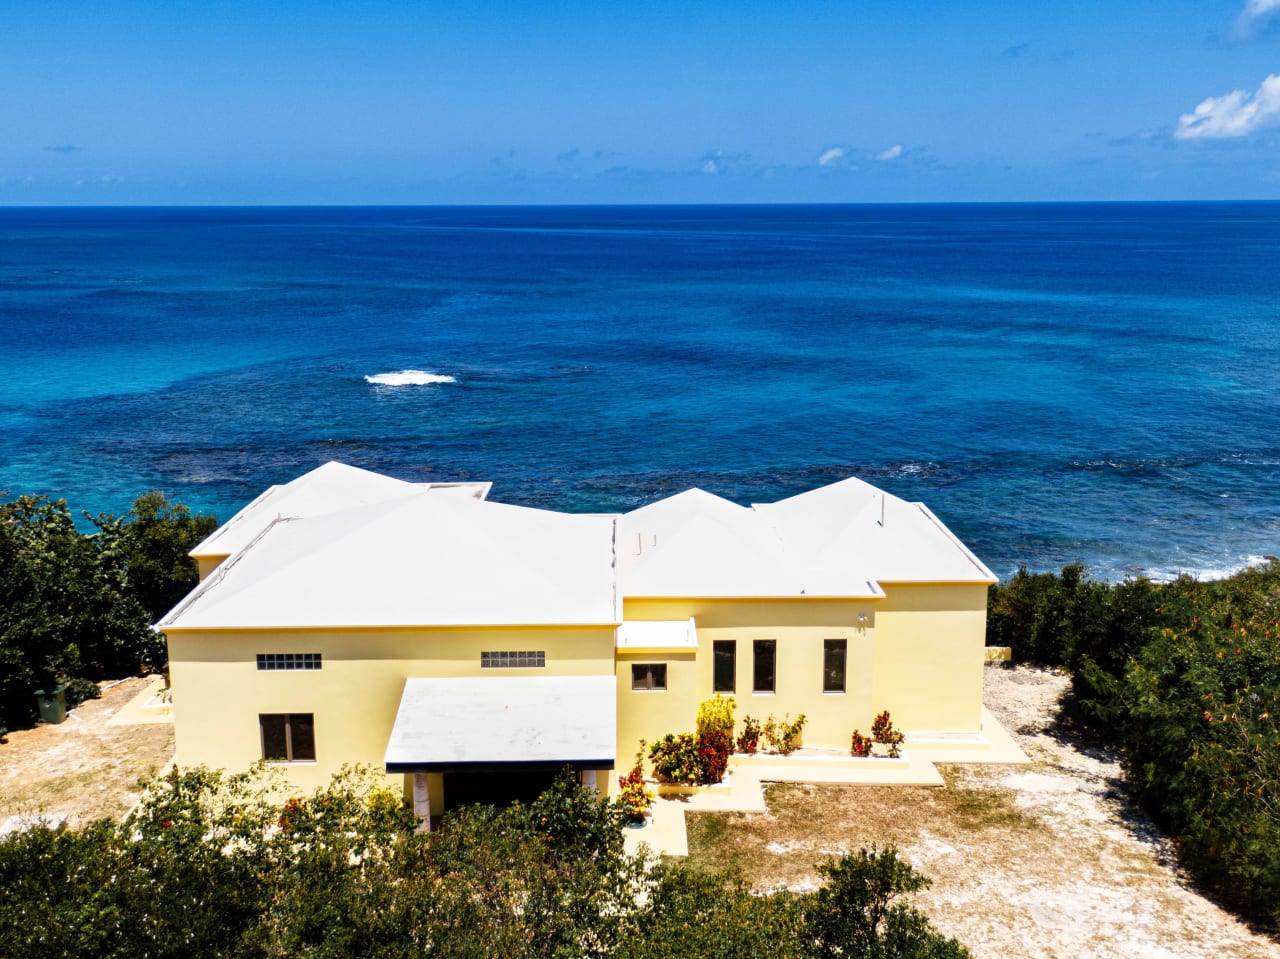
[{"x": 422, "y": 560}]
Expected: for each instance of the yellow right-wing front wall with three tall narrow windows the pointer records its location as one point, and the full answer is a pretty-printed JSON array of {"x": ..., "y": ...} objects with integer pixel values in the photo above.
[{"x": 917, "y": 654}]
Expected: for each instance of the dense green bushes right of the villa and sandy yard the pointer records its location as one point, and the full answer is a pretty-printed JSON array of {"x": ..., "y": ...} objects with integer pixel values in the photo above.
[{"x": 1183, "y": 678}]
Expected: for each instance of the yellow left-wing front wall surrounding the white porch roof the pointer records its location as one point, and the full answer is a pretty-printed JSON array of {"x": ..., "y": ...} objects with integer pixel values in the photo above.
[{"x": 220, "y": 692}]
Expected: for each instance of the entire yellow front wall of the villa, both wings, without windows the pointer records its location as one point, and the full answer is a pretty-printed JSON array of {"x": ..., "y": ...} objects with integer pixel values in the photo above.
[{"x": 918, "y": 654}]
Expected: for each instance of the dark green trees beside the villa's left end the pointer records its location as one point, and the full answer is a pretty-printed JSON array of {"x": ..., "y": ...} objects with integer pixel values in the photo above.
[{"x": 77, "y": 608}]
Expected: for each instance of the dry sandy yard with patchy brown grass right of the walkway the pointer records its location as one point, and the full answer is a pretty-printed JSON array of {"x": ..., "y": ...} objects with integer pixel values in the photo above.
[{"x": 1048, "y": 860}]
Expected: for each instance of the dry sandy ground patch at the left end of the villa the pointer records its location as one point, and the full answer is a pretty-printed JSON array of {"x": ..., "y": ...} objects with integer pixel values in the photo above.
[{"x": 83, "y": 769}]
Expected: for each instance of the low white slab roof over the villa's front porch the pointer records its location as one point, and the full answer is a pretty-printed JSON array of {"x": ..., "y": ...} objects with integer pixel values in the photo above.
[{"x": 486, "y": 721}]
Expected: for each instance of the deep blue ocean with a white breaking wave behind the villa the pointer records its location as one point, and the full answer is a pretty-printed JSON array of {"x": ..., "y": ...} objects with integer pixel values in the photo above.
[{"x": 1094, "y": 382}]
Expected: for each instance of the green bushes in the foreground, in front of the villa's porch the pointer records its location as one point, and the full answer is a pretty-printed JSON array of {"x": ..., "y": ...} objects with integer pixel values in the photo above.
[{"x": 213, "y": 865}]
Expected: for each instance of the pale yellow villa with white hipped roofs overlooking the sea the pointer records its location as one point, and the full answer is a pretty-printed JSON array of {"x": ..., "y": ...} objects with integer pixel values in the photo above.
[{"x": 472, "y": 647}]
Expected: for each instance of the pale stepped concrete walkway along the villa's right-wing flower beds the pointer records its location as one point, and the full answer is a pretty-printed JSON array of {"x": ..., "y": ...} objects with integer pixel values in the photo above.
[{"x": 743, "y": 791}]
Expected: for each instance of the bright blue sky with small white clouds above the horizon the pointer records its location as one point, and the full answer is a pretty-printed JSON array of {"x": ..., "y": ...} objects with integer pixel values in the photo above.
[{"x": 438, "y": 103}]
